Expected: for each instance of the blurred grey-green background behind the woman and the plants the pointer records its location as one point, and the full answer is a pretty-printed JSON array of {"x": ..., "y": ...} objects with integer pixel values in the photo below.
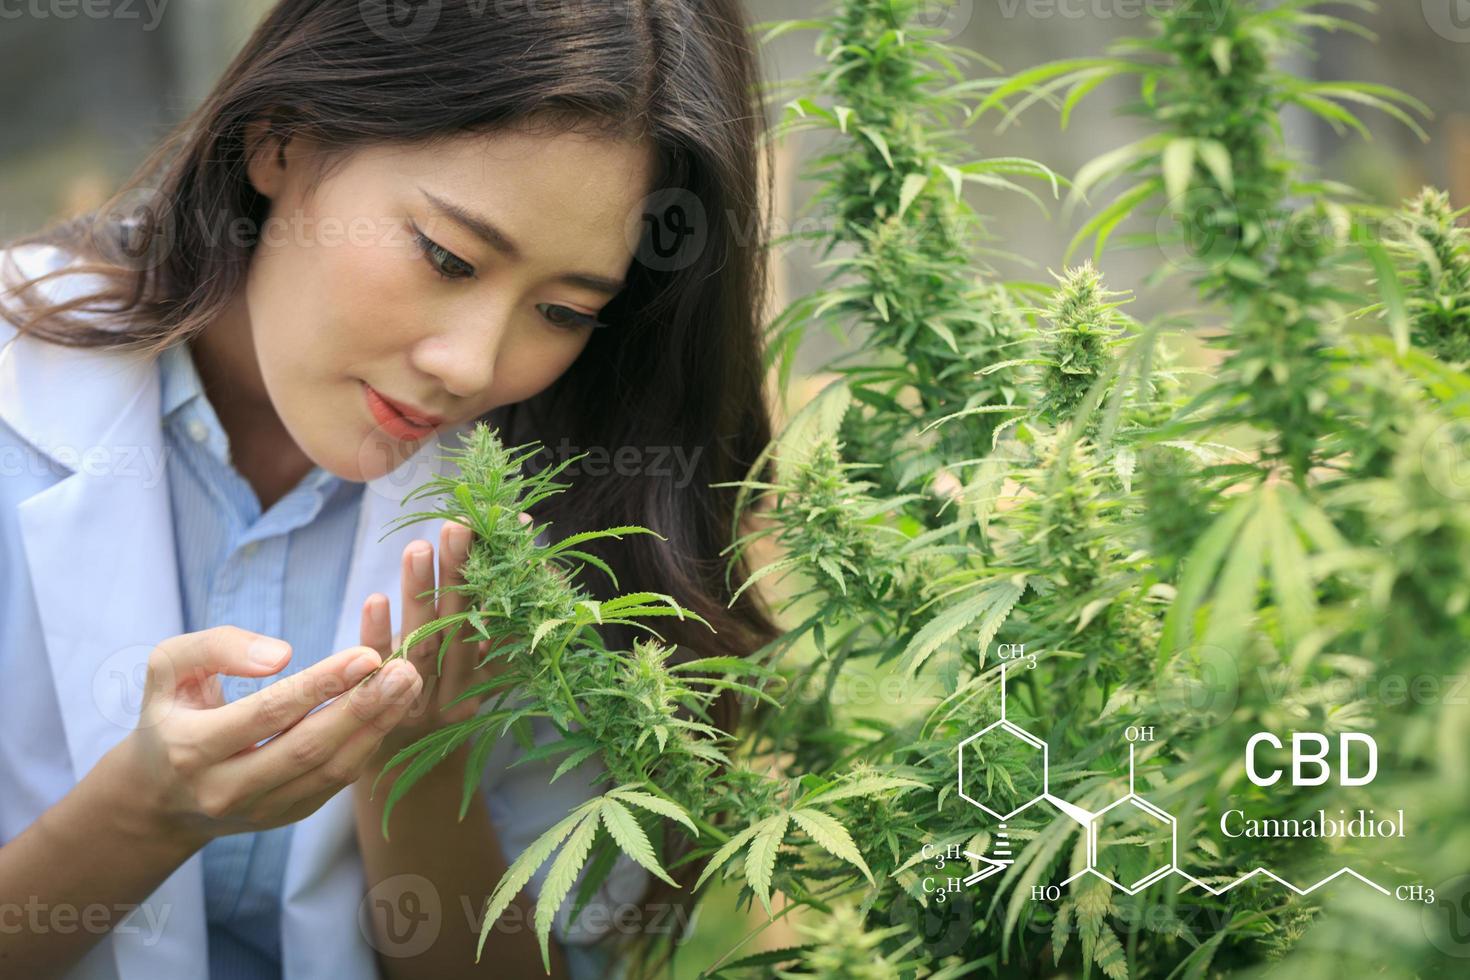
[{"x": 93, "y": 95}]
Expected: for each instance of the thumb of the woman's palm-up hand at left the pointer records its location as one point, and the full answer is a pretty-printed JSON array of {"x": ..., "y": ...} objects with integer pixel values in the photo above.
[{"x": 180, "y": 666}]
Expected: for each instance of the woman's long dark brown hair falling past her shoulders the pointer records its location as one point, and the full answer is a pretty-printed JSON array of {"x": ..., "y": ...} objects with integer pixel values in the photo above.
[{"x": 681, "y": 367}]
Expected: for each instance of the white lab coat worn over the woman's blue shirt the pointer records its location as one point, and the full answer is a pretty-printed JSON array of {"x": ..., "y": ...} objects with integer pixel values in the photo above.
[{"x": 89, "y": 586}]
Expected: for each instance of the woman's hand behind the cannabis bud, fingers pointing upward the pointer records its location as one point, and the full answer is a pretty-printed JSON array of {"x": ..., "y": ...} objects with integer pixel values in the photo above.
[{"x": 429, "y": 713}]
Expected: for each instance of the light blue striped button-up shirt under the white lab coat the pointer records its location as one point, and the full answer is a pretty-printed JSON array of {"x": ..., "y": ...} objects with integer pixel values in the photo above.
[{"x": 280, "y": 574}]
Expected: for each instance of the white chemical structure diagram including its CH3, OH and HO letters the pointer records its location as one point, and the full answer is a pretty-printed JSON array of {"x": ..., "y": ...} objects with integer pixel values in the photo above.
[{"x": 1122, "y": 824}]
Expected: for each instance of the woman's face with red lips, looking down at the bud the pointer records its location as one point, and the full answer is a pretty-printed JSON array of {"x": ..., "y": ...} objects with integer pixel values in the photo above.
[{"x": 449, "y": 280}]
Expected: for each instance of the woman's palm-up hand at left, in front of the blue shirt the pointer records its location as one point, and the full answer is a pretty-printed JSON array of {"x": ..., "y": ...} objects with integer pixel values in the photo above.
[{"x": 196, "y": 759}]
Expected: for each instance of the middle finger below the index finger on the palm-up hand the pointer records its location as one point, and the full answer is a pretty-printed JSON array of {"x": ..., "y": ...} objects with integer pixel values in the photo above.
[{"x": 377, "y": 705}]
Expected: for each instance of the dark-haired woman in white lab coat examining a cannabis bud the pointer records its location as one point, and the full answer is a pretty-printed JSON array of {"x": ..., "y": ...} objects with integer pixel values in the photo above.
[{"x": 381, "y": 227}]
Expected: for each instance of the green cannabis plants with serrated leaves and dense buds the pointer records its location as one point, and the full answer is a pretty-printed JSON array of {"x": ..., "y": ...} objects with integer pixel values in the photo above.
[{"x": 1215, "y": 553}]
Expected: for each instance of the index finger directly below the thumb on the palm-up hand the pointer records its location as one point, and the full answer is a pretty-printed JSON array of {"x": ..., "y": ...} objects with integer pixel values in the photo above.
[{"x": 240, "y": 725}]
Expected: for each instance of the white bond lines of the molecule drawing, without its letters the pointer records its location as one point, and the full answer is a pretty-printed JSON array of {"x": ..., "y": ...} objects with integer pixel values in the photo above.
[{"x": 1091, "y": 822}]
